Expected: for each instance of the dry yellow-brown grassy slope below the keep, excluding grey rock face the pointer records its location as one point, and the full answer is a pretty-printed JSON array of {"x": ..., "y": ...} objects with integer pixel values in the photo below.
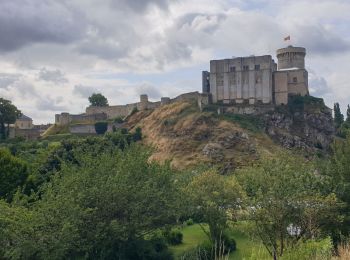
[{"x": 180, "y": 133}]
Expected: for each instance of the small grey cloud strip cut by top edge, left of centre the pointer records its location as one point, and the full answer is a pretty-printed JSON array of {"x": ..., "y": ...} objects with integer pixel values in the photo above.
[{"x": 140, "y": 5}]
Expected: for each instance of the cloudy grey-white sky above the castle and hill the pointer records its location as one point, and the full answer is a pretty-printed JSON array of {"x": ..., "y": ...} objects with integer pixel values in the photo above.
[{"x": 55, "y": 54}]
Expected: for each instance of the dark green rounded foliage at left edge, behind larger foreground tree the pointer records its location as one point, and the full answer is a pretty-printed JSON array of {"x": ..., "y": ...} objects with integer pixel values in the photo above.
[{"x": 13, "y": 174}]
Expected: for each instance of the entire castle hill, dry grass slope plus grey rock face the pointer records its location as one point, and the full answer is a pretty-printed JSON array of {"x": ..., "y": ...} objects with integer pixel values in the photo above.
[{"x": 182, "y": 134}]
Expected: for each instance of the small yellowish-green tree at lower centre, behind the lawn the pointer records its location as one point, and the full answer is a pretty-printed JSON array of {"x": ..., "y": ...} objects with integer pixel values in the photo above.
[{"x": 216, "y": 198}]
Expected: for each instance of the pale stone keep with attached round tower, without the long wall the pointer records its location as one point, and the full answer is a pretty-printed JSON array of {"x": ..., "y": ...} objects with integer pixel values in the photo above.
[{"x": 257, "y": 79}]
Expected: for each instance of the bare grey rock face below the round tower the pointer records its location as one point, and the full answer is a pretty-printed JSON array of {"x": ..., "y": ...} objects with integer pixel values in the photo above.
[{"x": 301, "y": 129}]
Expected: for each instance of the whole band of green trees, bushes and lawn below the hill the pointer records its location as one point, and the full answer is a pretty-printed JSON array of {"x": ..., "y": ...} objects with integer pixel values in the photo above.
[{"x": 103, "y": 198}]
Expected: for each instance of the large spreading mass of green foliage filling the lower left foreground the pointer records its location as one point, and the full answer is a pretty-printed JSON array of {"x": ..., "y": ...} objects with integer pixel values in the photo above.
[{"x": 99, "y": 208}]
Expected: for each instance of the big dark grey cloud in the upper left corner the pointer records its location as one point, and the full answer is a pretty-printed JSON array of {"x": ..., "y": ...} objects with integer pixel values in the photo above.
[{"x": 23, "y": 22}]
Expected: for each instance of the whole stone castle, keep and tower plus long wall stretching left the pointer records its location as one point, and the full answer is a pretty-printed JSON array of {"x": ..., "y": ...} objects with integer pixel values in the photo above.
[{"x": 245, "y": 85}]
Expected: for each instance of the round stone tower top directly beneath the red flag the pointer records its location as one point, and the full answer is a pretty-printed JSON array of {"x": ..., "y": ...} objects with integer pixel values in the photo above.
[{"x": 291, "y": 57}]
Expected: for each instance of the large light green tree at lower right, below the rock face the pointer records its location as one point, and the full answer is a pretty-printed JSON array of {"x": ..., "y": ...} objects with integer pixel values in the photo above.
[{"x": 285, "y": 202}]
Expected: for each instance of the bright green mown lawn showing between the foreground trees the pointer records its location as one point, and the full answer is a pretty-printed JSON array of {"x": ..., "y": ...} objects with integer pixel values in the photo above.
[{"x": 194, "y": 235}]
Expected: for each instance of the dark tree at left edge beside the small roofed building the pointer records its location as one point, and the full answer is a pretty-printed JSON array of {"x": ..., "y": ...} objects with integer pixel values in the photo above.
[{"x": 8, "y": 115}]
